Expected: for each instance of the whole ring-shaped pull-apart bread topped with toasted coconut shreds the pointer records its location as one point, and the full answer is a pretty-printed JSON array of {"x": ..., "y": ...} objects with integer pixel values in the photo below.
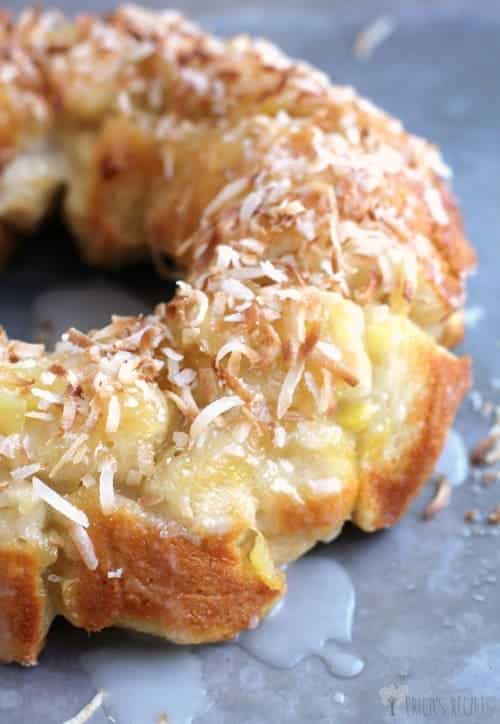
[{"x": 157, "y": 473}]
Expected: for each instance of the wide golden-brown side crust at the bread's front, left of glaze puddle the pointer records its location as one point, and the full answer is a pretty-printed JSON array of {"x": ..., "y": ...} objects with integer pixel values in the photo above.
[{"x": 186, "y": 590}]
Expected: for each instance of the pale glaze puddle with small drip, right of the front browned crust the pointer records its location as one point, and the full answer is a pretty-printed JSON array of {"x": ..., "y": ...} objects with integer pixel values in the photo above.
[{"x": 315, "y": 618}]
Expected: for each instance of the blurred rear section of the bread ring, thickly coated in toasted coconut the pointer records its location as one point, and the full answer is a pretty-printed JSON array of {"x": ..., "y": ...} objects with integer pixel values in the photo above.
[{"x": 143, "y": 120}]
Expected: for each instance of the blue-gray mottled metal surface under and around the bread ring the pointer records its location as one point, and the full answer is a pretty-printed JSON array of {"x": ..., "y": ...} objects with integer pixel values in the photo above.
[{"x": 418, "y": 623}]
